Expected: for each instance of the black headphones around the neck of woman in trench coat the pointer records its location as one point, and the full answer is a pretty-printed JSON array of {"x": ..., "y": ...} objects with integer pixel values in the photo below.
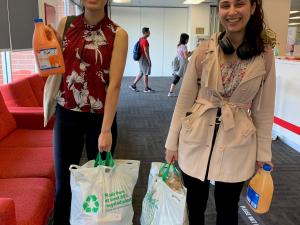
[{"x": 244, "y": 51}]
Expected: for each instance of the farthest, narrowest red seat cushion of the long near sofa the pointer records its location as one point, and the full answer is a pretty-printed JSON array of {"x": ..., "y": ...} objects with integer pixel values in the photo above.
[{"x": 28, "y": 138}]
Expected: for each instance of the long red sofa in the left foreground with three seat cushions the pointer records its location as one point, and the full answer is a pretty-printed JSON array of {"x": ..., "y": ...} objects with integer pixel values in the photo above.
[{"x": 26, "y": 166}]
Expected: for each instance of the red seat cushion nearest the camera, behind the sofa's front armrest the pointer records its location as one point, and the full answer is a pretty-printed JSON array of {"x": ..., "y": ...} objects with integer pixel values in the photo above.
[{"x": 33, "y": 198}]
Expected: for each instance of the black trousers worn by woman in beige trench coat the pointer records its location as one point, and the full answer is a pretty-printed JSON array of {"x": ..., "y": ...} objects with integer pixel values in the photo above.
[{"x": 227, "y": 195}]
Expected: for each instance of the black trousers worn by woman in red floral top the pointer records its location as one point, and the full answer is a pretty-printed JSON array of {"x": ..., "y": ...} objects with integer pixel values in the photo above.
[{"x": 73, "y": 130}]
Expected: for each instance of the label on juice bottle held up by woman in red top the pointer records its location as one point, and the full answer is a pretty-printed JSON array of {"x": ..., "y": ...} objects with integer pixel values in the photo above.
[{"x": 48, "y": 58}]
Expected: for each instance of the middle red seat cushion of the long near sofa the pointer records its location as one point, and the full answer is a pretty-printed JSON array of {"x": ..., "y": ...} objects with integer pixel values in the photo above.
[{"x": 26, "y": 162}]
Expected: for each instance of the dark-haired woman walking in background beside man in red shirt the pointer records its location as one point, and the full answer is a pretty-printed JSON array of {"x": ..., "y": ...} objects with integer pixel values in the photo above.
[{"x": 182, "y": 60}]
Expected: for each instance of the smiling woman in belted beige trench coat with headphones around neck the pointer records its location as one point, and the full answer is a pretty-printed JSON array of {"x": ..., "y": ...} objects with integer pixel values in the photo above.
[{"x": 222, "y": 122}]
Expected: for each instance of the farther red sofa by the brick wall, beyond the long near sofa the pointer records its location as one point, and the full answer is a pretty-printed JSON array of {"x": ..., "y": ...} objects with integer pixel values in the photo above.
[{"x": 25, "y": 97}]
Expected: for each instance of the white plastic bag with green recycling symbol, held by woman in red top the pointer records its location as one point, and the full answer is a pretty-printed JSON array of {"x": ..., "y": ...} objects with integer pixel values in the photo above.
[{"x": 102, "y": 191}]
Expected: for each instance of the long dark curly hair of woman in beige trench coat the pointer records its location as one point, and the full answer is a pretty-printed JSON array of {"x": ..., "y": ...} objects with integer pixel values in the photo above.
[{"x": 257, "y": 35}]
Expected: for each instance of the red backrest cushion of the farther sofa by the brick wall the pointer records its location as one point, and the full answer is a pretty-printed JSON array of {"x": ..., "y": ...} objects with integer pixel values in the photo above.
[{"x": 19, "y": 93}]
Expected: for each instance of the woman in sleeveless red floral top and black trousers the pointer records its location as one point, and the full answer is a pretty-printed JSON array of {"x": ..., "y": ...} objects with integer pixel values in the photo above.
[{"x": 95, "y": 50}]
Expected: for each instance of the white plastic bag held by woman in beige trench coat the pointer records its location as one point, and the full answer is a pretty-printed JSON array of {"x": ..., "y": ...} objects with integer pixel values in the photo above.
[{"x": 165, "y": 200}]
